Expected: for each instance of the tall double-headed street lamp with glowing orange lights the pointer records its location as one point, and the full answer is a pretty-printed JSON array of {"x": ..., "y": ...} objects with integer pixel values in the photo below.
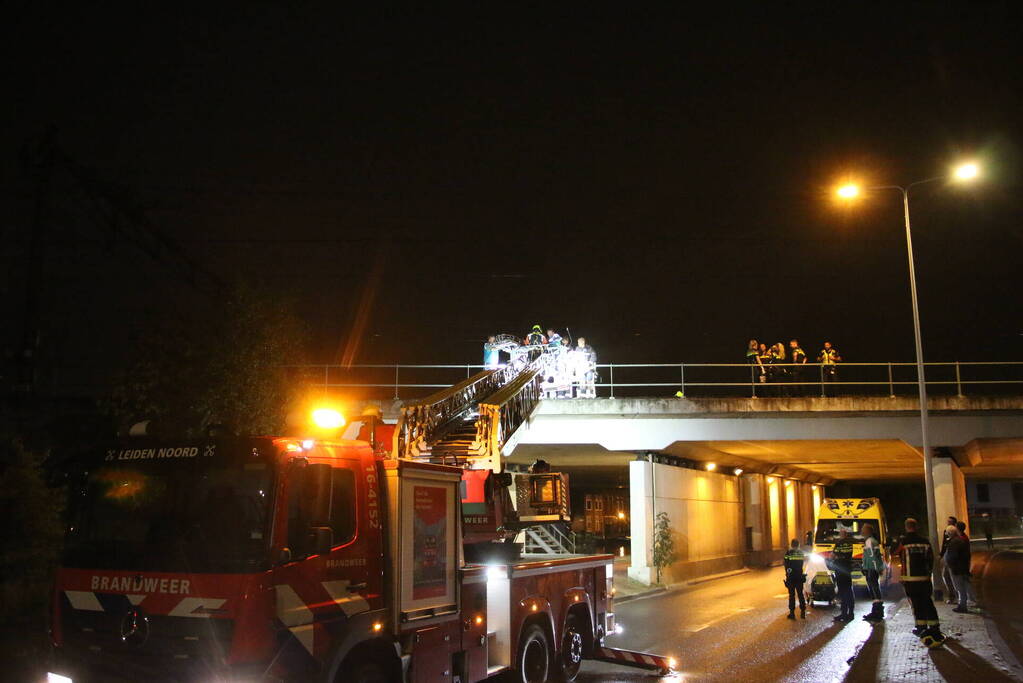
[{"x": 964, "y": 172}]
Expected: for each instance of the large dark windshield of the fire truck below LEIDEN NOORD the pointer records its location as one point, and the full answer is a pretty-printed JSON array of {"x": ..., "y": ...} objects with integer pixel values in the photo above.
[{"x": 211, "y": 519}]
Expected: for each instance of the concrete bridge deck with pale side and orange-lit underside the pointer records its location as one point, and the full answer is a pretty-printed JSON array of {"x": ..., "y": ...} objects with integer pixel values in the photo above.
[{"x": 818, "y": 440}]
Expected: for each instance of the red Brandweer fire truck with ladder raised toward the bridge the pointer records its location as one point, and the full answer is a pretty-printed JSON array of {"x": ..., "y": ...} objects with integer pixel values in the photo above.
[{"x": 319, "y": 559}]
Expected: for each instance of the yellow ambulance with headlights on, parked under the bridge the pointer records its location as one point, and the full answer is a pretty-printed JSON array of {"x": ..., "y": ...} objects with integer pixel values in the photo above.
[{"x": 852, "y": 515}]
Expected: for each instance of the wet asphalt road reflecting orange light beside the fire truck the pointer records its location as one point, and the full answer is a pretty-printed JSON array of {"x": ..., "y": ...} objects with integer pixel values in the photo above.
[{"x": 735, "y": 629}]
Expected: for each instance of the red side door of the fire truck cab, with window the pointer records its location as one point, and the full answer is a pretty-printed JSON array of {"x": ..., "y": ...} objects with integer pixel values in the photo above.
[{"x": 329, "y": 580}]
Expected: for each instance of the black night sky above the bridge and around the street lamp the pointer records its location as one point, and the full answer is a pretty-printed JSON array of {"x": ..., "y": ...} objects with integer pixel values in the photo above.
[{"x": 658, "y": 184}]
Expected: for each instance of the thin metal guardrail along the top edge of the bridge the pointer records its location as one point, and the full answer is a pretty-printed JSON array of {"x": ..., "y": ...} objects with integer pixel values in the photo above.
[{"x": 698, "y": 380}]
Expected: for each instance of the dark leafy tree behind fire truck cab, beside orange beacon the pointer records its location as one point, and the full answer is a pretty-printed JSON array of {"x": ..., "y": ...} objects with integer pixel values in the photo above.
[{"x": 221, "y": 367}]
